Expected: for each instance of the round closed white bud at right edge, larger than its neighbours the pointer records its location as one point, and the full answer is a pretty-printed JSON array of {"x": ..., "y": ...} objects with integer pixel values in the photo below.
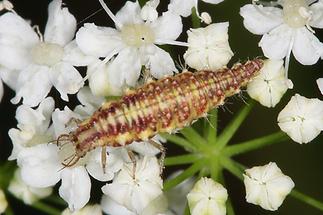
[{"x": 302, "y": 118}]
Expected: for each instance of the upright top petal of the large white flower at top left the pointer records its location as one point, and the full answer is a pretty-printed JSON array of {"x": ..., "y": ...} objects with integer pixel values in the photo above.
[{"x": 61, "y": 24}]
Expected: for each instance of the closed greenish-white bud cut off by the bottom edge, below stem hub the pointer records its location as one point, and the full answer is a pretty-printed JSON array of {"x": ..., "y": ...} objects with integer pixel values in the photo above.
[{"x": 207, "y": 197}]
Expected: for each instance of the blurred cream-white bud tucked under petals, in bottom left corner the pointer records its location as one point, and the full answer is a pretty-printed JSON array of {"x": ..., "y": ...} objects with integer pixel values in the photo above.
[{"x": 26, "y": 193}]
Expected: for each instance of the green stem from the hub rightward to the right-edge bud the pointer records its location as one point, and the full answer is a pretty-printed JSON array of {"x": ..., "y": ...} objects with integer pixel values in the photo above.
[{"x": 255, "y": 144}]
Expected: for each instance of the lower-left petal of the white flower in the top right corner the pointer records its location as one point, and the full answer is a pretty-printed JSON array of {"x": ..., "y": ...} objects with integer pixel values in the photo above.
[{"x": 276, "y": 43}]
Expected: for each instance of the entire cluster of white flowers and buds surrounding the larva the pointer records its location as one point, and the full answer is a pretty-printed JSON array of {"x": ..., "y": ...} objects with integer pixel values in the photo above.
[{"x": 125, "y": 56}]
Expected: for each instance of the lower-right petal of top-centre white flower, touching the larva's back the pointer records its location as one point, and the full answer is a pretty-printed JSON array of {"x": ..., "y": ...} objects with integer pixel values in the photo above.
[{"x": 161, "y": 64}]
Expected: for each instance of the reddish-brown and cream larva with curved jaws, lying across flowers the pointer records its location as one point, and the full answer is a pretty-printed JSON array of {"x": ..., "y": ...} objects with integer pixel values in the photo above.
[{"x": 160, "y": 106}]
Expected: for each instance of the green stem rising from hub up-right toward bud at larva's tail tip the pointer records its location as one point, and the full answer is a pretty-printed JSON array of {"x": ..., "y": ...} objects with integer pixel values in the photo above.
[{"x": 230, "y": 130}]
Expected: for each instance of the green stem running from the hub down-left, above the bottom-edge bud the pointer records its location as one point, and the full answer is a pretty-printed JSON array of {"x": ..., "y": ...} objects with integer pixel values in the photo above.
[{"x": 182, "y": 176}]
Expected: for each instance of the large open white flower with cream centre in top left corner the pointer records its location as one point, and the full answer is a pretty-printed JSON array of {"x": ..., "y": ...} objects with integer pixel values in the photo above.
[{"x": 43, "y": 62}]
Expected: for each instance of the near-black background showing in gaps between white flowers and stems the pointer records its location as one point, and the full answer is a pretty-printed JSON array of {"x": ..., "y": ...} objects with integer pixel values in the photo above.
[{"x": 303, "y": 163}]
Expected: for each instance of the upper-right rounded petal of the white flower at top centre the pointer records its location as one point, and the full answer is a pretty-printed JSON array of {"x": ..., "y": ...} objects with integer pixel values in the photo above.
[{"x": 168, "y": 26}]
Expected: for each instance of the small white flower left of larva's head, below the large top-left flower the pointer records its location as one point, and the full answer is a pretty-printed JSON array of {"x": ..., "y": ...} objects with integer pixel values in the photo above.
[{"x": 33, "y": 126}]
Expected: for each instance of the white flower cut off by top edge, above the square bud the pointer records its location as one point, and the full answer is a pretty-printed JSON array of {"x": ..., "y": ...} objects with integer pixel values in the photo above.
[{"x": 184, "y": 8}]
